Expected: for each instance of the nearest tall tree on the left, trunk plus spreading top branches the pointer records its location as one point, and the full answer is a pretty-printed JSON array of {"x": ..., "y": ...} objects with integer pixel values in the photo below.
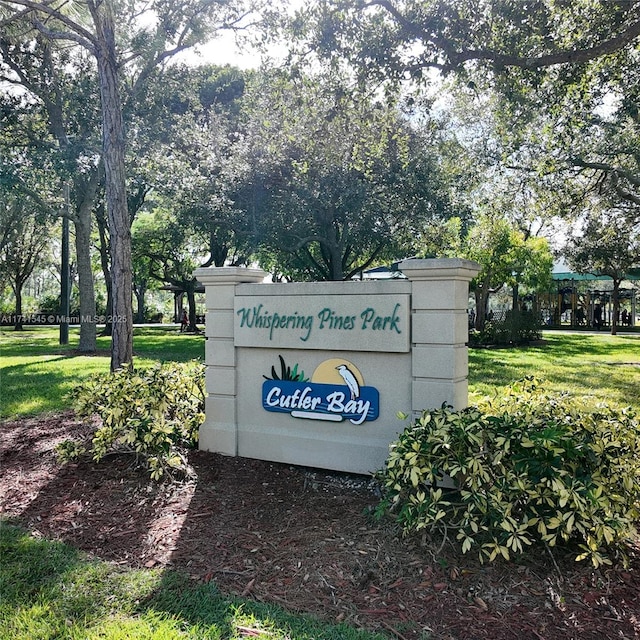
[{"x": 119, "y": 41}]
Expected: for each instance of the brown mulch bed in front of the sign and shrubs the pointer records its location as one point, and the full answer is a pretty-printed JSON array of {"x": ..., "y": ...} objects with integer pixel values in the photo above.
[{"x": 302, "y": 539}]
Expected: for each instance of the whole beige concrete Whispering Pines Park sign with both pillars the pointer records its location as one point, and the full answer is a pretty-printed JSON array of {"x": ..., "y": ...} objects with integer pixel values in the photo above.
[{"x": 316, "y": 373}]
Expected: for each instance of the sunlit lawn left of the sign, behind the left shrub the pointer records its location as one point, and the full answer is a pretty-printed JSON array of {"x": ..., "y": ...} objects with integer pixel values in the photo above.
[{"x": 37, "y": 374}]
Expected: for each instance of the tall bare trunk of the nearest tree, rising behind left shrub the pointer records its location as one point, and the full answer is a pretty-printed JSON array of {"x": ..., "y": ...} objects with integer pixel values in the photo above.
[{"x": 116, "y": 196}]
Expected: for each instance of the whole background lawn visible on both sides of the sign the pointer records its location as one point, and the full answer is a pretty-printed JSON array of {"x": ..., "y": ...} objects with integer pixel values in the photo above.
[{"x": 36, "y": 373}]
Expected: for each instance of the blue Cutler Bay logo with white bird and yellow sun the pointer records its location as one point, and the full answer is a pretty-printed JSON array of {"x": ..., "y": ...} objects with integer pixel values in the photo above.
[{"x": 335, "y": 392}]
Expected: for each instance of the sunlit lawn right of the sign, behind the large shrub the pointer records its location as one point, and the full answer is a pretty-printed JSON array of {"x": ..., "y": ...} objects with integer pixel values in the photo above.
[{"x": 604, "y": 367}]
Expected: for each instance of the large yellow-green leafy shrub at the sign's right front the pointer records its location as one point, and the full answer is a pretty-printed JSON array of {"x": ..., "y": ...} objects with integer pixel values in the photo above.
[{"x": 529, "y": 468}]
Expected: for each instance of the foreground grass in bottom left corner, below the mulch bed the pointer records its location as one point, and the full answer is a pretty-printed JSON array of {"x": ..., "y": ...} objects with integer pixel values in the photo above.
[{"x": 51, "y": 591}]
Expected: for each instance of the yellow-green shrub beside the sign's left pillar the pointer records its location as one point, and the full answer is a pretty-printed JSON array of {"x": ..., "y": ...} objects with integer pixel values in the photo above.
[{"x": 153, "y": 413}]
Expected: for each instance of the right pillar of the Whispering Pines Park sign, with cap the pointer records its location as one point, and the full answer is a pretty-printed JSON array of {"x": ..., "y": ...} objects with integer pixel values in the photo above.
[{"x": 439, "y": 321}]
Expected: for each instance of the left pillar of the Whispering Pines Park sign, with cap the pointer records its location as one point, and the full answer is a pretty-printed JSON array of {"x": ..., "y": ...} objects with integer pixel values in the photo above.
[{"x": 219, "y": 432}]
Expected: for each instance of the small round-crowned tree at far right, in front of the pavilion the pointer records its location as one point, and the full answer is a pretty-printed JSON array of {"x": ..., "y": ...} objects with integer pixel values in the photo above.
[{"x": 608, "y": 244}]
